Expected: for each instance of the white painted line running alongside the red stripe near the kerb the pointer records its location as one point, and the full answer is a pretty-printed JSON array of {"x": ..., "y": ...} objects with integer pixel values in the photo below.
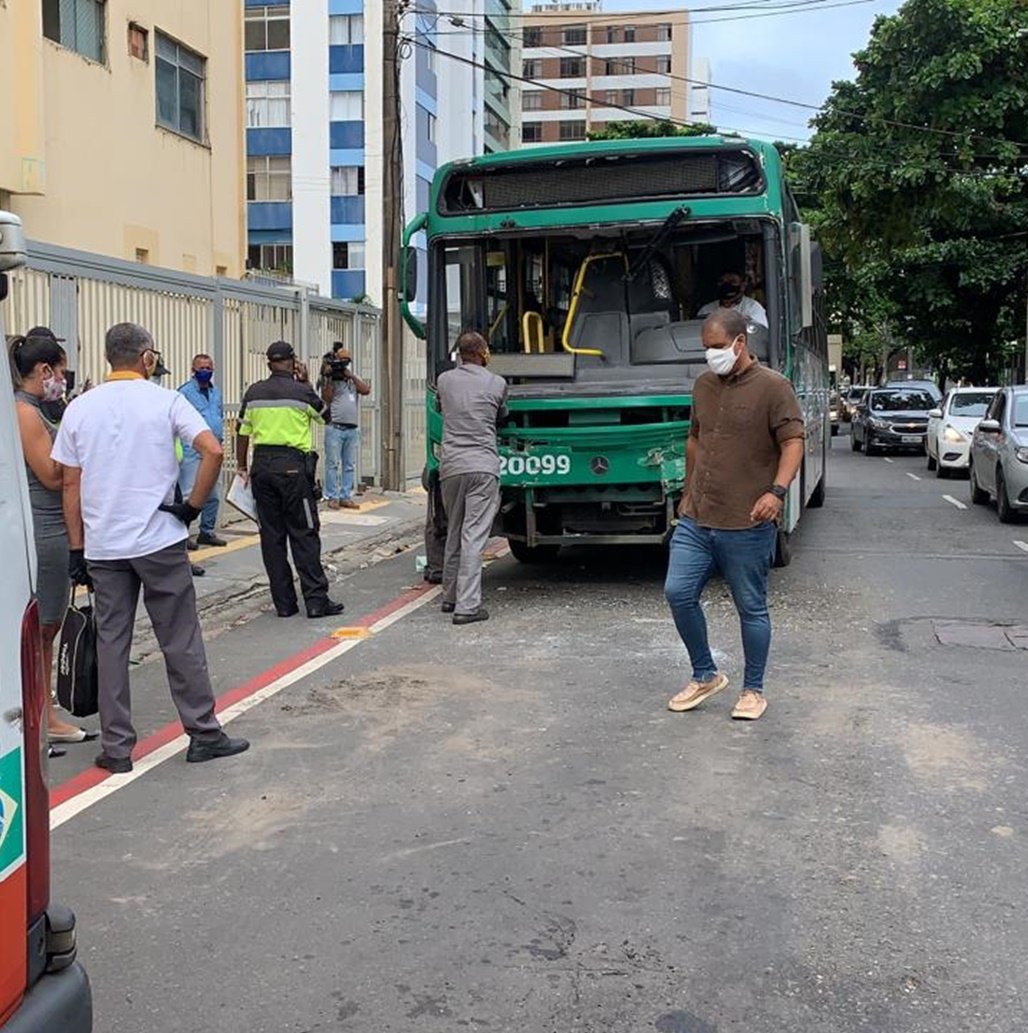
[{"x": 75, "y": 806}]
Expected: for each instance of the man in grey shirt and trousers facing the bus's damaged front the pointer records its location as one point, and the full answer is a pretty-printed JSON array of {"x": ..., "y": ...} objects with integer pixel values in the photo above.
[{"x": 473, "y": 401}]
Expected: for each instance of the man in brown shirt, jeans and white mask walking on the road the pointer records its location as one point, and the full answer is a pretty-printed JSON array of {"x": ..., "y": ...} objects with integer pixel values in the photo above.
[{"x": 745, "y": 448}]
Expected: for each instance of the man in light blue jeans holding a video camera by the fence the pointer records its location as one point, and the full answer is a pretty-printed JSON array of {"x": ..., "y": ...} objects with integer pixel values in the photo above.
[{"x": 341, "y": 391}]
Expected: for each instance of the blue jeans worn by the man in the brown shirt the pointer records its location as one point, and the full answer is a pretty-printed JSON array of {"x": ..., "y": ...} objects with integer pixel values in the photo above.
[{"x": 743, "y": 559}]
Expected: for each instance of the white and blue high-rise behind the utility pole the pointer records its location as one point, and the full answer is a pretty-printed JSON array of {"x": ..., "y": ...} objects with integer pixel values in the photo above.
[{"x": 315, "y": 148}]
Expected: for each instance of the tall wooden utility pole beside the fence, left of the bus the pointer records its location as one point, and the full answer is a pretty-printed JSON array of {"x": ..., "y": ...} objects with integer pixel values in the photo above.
[{"x": 393, "y": 461}]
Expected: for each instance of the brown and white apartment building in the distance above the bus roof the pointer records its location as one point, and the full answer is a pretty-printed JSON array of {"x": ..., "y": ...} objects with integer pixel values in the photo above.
[{"x": 590, "y": 68}]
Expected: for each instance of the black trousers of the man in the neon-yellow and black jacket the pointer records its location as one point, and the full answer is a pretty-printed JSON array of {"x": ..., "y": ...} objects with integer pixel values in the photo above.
[{"x": 288, "y": 512}]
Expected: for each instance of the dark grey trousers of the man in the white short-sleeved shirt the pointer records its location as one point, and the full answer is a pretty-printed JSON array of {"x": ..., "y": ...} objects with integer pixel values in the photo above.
[{"x": 171, "y": 602}]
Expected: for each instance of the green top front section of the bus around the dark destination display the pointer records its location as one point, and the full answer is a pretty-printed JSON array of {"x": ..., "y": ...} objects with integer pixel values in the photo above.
[{"x": 524, "y": 192}]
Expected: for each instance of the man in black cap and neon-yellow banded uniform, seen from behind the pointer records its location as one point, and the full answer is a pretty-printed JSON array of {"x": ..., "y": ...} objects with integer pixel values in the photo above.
[{"x": 277, "y": 416}]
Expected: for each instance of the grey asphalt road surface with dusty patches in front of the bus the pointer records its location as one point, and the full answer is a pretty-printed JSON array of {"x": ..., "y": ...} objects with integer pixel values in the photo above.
[{"x": 502, "y": 828}]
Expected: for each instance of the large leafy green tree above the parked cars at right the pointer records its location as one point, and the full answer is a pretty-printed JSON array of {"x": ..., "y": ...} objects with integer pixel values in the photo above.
[{"x": 919, "y": 177}]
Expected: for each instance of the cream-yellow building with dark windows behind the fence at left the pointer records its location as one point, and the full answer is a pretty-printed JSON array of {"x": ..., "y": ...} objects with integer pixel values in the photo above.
[{"x": 122, "y": 131}]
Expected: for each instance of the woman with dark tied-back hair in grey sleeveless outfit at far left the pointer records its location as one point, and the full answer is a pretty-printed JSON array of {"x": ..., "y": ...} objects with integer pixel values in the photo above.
[{"x": 39, "y": 366}]
